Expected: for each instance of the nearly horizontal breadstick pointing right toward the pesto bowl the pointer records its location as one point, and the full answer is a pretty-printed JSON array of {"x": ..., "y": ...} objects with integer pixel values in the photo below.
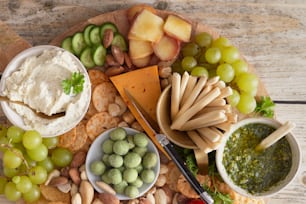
[{"x": 205, "y": 120}]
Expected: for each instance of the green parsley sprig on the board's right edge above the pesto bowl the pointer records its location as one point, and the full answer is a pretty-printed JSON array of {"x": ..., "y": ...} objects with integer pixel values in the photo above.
[{"x": 265, "y": 107}]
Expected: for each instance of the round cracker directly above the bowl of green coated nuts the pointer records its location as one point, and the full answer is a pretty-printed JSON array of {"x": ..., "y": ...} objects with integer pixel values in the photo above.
[{"x": 98, "y": 123}]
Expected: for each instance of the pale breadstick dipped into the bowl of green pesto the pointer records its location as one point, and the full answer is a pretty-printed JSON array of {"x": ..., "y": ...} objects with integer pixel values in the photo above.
[{"x": 275, "y": 136}]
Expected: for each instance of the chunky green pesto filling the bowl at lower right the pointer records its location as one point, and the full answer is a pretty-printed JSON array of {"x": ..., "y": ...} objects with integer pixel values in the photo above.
[{"x": 253, "y": 171}]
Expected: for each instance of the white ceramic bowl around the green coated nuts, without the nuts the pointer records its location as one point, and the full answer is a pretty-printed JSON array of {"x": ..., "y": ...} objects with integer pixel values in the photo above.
[{"x": 95, "y": 153}]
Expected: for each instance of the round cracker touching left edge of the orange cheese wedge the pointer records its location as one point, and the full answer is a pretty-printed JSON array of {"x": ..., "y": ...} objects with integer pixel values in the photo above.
[{"x": 102, "y": 95}]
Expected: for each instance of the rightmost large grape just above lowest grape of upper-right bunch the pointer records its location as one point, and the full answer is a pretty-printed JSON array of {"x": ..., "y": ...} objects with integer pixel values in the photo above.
[{"x": 247, "y": 82}]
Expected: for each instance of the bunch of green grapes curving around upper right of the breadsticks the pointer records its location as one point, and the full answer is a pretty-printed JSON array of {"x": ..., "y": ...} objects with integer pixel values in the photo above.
[{"x": 210, "y": 57}]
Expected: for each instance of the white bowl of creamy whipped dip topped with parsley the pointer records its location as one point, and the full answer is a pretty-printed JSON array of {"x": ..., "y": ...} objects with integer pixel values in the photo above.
[{"x": 50, "y": 80}]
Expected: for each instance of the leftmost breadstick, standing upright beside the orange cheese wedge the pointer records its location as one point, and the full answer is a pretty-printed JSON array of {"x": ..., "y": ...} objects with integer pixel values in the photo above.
[{"x": 175, "y": 94}]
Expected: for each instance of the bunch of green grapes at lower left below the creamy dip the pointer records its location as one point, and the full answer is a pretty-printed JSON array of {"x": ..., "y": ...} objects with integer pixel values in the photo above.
[{"x": 27, "y": 158}]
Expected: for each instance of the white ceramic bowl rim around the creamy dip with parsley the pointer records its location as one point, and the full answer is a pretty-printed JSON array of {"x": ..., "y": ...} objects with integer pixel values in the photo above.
[{"x": 17, "y": 119}]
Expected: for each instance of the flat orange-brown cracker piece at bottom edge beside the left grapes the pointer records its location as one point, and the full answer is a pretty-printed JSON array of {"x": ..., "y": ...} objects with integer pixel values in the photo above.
[{"x": 54, "y": 195}]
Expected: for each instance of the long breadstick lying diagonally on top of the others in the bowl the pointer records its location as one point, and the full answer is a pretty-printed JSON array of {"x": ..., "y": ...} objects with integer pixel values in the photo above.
[{"x": 182, "y": 117}]
